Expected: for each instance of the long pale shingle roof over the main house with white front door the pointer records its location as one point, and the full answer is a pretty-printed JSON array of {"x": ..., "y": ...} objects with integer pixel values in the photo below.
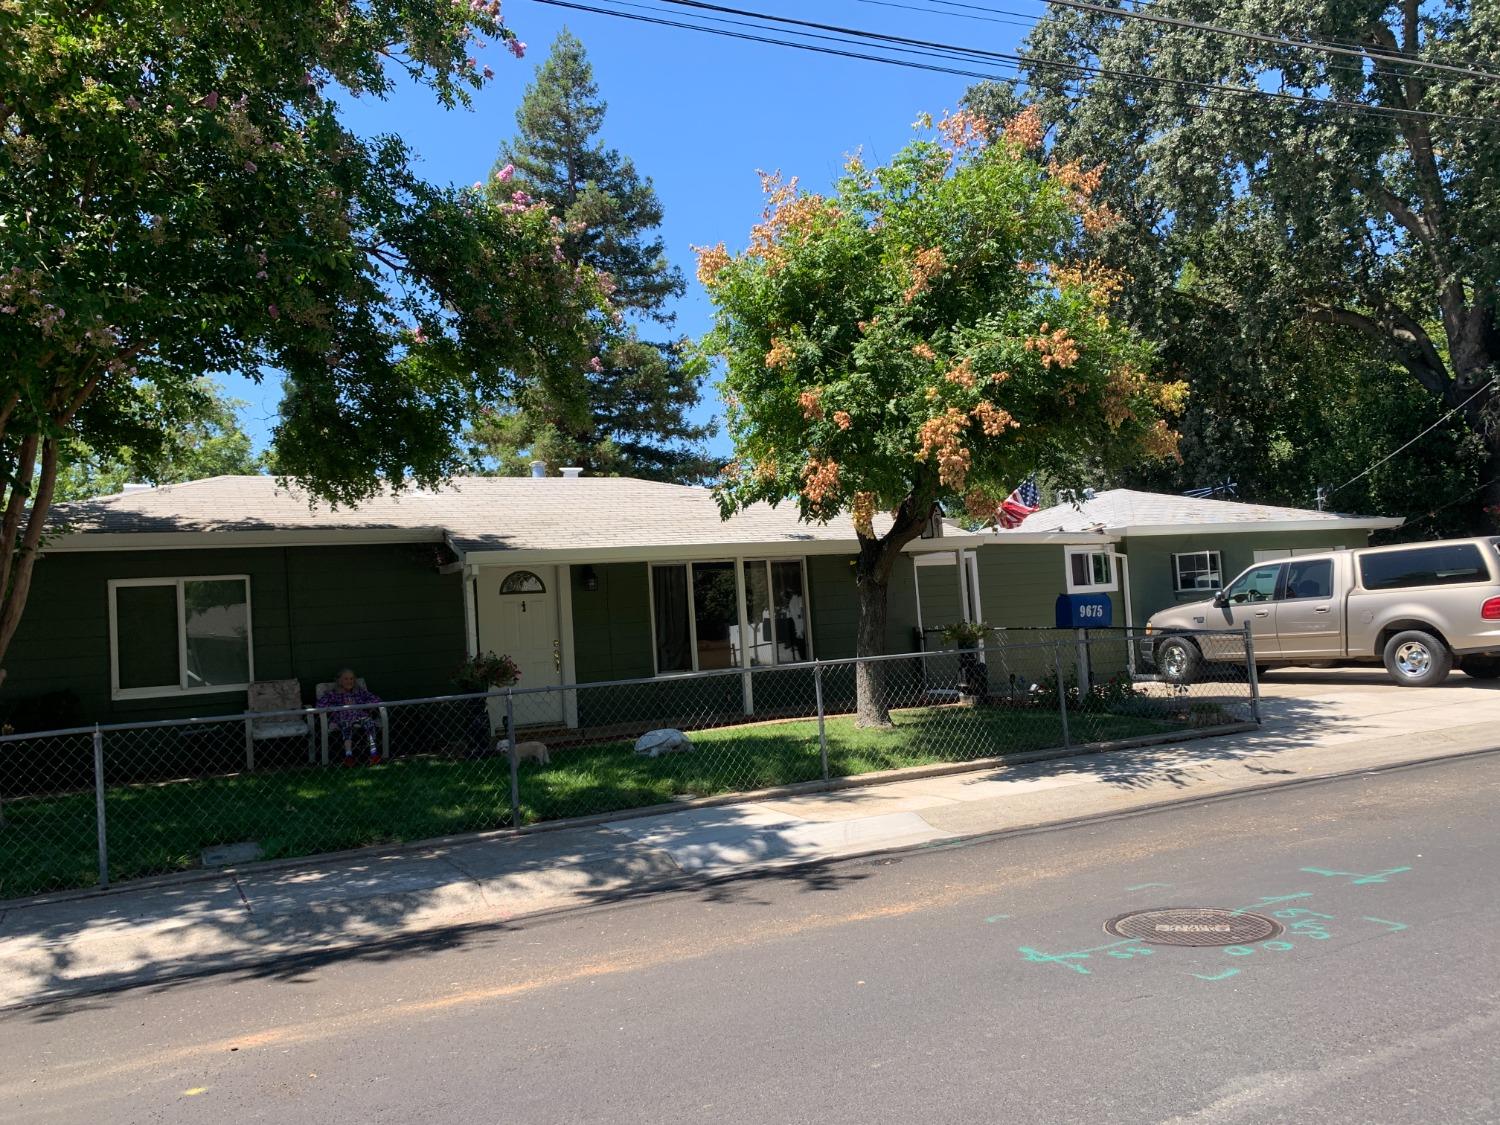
[{"x": 479, "y": 514}]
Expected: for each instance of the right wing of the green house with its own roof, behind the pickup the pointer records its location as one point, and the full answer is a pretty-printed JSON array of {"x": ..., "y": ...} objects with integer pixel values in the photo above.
[{"x": 1156, "y": 551}]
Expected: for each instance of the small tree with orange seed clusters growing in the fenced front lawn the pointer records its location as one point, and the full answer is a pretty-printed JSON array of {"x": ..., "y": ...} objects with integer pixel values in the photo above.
[{"x": 925, "y": 338}]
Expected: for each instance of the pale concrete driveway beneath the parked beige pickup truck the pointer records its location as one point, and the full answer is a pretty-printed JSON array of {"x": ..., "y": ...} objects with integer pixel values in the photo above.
[{"x": 1355, "y": 704}]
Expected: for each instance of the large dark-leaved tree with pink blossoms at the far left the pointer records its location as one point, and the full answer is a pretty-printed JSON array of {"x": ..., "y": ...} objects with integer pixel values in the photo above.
[{"x": 179, "y": 196}]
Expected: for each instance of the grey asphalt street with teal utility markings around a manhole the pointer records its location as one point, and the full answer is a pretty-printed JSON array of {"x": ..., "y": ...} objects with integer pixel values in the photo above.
[{"x": 970, "y": 983}]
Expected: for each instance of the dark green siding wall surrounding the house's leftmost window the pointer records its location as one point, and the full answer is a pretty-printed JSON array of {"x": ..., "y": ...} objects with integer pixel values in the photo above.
[{"x": 382, "y": 610}]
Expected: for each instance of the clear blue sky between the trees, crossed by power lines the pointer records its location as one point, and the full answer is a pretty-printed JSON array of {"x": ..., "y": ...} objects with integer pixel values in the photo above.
[{"x": 697, "y": 113}]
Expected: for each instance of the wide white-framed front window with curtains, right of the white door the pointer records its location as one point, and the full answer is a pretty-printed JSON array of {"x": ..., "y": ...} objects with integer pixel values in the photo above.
[{"x": 697, "y": 614}]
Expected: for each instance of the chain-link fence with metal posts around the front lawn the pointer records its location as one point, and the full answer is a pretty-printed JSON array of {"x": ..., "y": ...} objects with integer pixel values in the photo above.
[{"x": 113, "y": 803}]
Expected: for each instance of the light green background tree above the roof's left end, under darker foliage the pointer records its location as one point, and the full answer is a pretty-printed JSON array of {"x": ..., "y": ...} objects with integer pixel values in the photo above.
[{"x": 200, "y": 437}]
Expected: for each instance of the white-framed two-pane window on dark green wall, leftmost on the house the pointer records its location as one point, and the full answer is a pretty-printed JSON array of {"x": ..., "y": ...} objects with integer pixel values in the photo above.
[{"x": 179, "y": 635}]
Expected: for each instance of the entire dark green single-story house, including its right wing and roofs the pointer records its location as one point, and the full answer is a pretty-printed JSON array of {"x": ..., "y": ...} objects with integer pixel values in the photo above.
[{"x": 169, "y": 602}]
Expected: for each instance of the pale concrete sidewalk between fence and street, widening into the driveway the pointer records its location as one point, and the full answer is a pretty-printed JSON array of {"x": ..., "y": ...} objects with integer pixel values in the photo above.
[{"x": 1316, "y": 727}]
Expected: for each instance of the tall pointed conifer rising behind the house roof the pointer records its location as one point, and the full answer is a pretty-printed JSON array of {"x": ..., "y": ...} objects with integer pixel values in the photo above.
[{"x": 629, "y": 410}]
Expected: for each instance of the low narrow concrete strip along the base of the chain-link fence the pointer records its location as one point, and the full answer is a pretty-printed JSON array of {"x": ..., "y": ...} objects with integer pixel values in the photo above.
[{"x": 596, "y": 820}]
